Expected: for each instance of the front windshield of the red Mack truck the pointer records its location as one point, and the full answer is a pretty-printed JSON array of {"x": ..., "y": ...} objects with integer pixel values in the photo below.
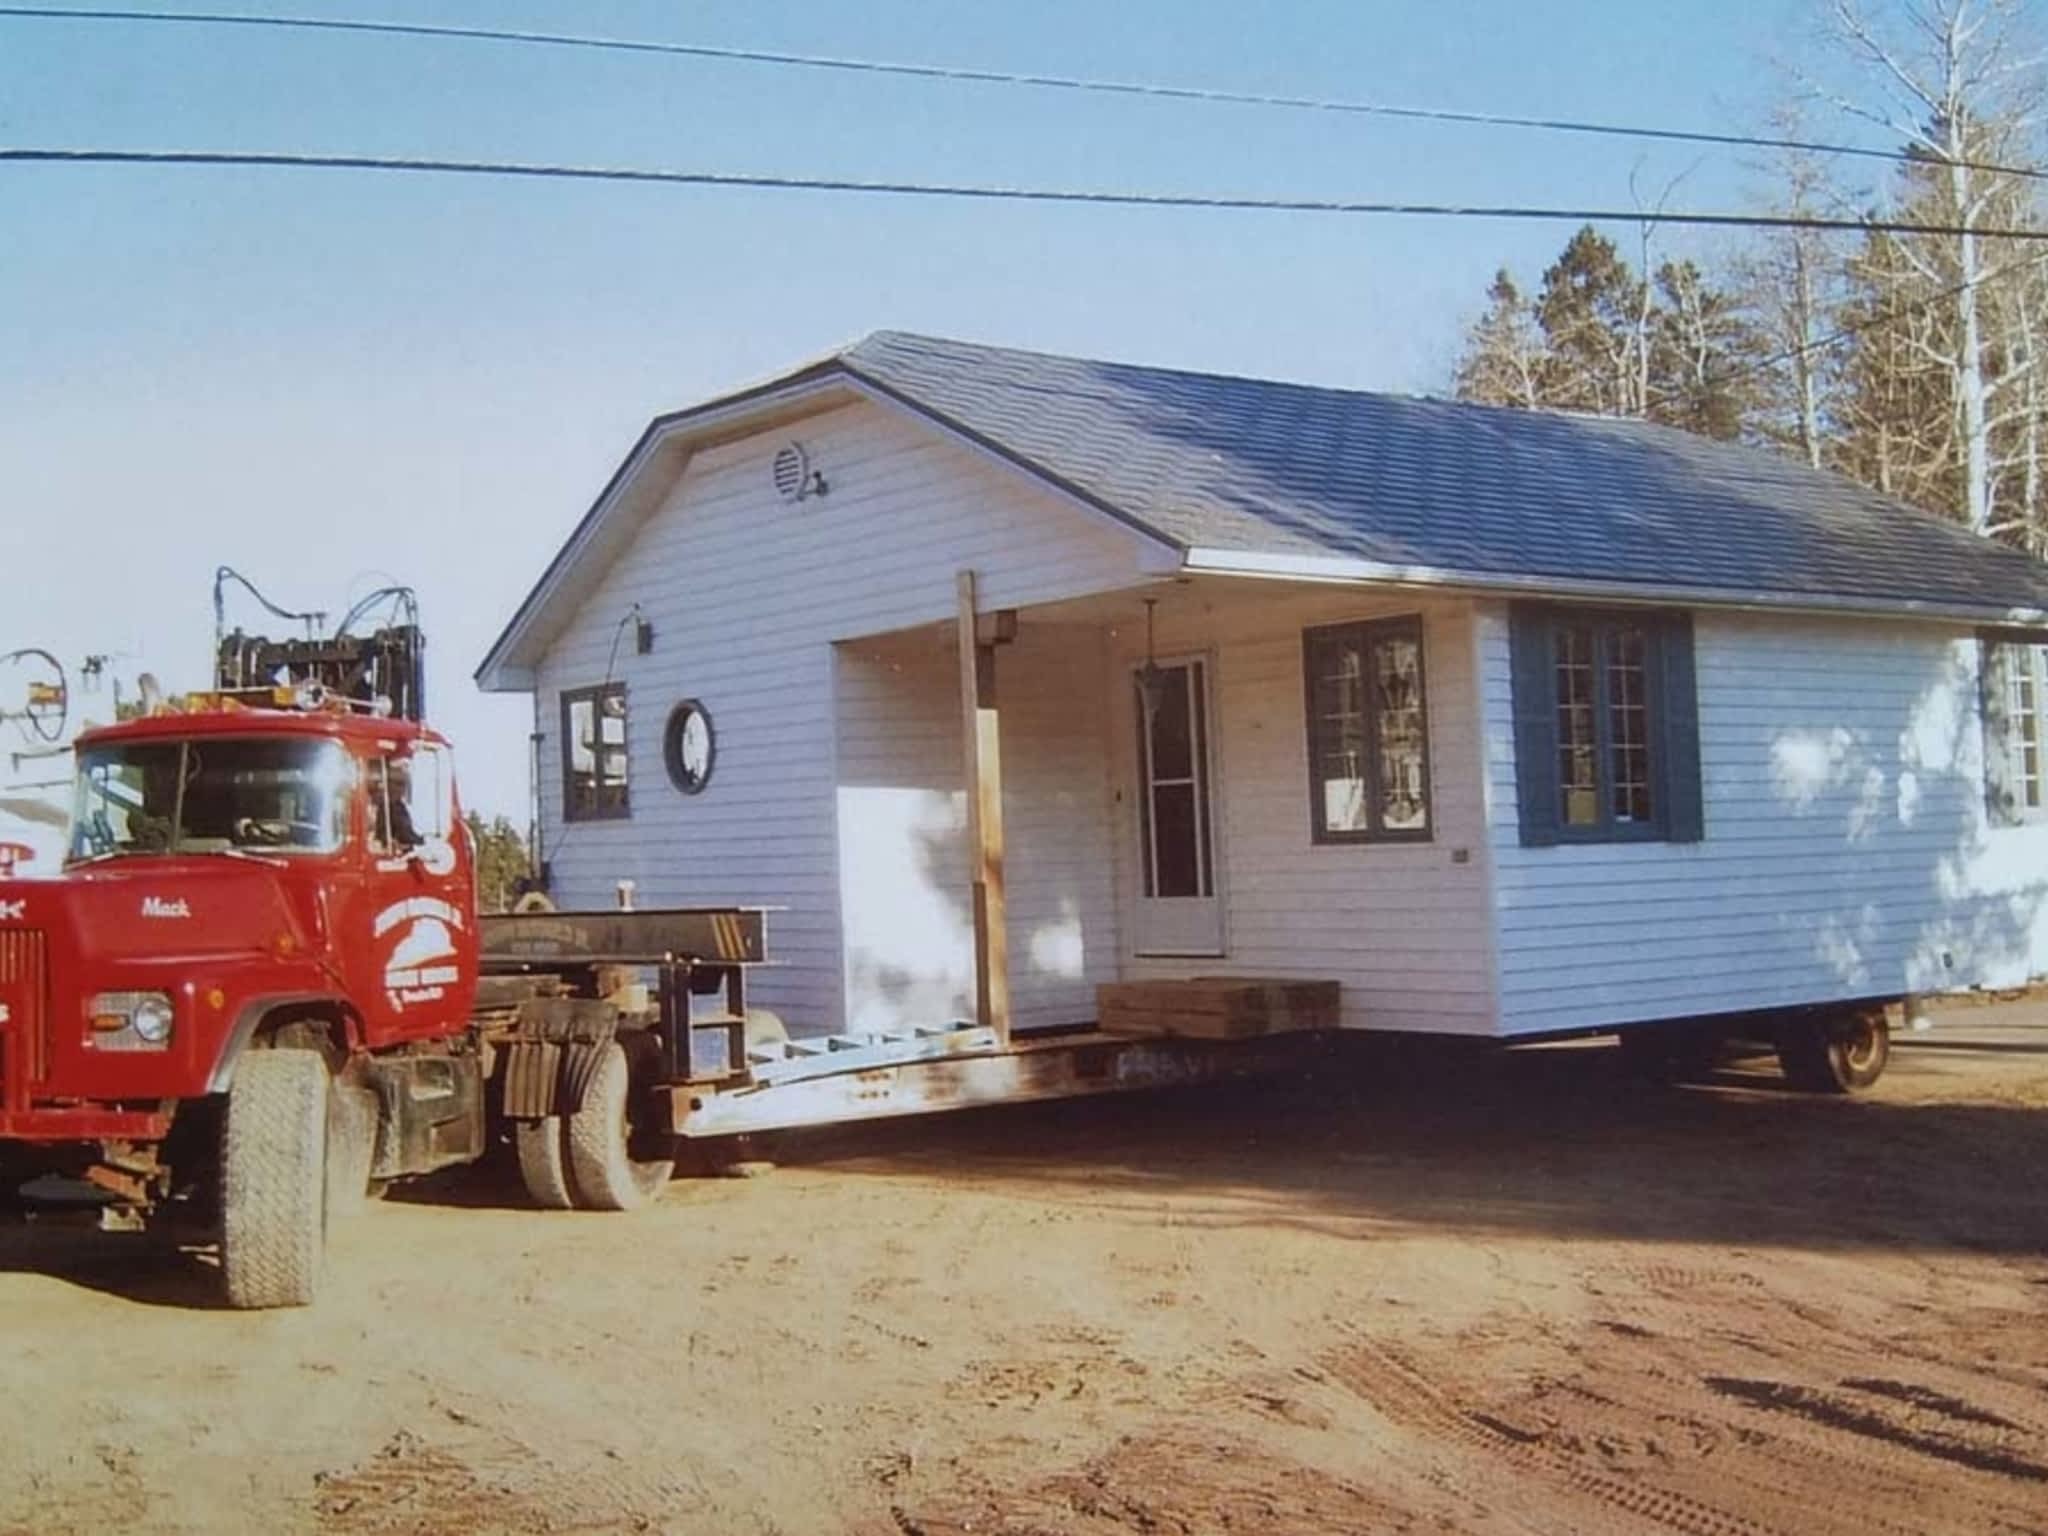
[{"x": 275, "y": 796}]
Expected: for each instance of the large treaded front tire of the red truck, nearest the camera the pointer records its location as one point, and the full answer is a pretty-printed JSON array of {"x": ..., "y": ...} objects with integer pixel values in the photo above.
[{"x": 275, "y": 1179}]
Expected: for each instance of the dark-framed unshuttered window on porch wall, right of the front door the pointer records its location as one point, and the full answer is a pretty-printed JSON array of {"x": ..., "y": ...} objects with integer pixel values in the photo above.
[{"x": 1369, "y": 732}]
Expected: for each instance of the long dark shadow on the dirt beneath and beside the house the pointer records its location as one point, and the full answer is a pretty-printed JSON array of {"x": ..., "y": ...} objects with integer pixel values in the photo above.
[{"x": 1553, "y": 1142}]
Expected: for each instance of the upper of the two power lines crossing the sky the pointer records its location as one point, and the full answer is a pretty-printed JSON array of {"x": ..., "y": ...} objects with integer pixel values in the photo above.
[{"x": 966, "y": 75}]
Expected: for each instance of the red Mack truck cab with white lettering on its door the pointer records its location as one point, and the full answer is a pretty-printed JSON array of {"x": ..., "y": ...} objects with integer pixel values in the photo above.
[{"x": 253, "y": 876}]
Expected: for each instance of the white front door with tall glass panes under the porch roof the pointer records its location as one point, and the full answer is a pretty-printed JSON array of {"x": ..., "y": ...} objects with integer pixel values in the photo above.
[{"x": 1179, "y": 910}]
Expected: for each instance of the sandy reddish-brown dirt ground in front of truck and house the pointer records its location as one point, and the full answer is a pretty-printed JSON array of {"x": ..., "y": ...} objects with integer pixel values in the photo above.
[{"x": 1496, "y": 1295}]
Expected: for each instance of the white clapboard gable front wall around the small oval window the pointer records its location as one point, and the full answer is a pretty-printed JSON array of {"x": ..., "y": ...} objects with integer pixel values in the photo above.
[{"x": 749, "y": 595}]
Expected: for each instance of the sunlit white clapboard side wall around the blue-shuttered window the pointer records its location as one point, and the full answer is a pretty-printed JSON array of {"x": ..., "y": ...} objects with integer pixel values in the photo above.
[{"x": 1846, "y": 843}]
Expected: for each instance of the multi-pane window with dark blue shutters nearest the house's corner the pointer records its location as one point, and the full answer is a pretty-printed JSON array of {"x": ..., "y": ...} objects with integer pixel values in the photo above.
[{"x": 1607, "y": 726}]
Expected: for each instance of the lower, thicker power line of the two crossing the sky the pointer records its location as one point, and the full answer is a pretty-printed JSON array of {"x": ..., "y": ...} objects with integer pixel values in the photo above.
[{"x": 990, "y": 194}]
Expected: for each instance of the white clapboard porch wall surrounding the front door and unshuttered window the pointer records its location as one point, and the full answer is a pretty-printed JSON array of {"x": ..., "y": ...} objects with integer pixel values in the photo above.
[{"x": 1402, "y": 927}]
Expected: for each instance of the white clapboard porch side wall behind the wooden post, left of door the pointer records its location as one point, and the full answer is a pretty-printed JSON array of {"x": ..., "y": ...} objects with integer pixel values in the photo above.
[{"x": 904, "y": 871}]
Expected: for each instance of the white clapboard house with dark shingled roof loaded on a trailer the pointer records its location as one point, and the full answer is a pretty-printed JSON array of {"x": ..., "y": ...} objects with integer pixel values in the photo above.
[{"x": 1508, "y": 722}]
